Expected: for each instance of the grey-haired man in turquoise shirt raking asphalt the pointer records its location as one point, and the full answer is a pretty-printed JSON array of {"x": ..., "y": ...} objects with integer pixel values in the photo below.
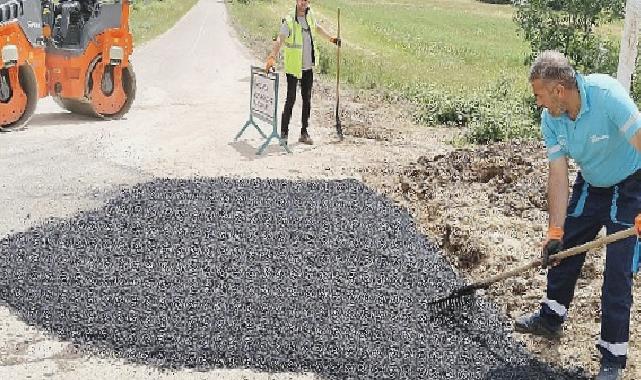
[{"x": 593, "y": 120}]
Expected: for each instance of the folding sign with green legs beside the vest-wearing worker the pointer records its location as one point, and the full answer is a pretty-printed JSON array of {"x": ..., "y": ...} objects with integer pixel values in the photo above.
[{"x": 263, "y": 106}]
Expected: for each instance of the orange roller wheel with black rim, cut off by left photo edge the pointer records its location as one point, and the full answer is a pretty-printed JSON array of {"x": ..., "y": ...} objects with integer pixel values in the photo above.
[{"x": 18, "y": 96}]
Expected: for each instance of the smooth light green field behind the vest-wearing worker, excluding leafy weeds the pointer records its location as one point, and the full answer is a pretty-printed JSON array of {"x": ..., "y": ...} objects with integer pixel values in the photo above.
[{"x": 454, "y": 45}]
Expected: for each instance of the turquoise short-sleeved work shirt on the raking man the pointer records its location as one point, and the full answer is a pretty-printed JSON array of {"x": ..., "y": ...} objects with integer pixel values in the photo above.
[{"x": 599, "y": 139}]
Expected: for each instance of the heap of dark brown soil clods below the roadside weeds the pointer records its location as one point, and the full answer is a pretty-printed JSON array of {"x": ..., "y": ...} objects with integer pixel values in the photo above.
[{"x": 515, "y": 174}]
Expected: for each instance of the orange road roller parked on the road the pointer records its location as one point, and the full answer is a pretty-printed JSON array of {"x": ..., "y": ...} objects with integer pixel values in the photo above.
[{"x": 76, "y": 51}]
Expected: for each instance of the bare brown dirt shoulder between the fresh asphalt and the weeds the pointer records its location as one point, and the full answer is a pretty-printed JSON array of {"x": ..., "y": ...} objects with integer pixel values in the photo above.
[{"x": 485, "y": 206}]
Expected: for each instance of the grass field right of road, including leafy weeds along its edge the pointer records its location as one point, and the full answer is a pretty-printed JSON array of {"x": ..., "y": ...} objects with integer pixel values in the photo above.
[{"x": 459, "y": 62}]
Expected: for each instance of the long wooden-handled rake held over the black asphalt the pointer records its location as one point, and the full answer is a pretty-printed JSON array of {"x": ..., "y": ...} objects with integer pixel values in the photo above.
[{"x": 457, "y": 297}]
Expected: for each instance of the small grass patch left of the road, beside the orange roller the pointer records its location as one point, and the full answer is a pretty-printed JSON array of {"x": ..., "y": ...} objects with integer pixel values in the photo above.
[{"x": 150, "y": 18}]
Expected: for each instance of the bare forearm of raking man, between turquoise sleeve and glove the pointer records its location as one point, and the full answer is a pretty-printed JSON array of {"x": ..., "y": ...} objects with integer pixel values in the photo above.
[{"x": 558, "y": 192}]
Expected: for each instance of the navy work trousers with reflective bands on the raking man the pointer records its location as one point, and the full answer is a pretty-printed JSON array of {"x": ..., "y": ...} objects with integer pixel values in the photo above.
[{"x": 590, "y": 209}]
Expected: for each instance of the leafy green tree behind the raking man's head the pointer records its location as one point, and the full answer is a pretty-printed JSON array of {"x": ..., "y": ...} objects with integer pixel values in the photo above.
[{"x": 569, "y": 27}]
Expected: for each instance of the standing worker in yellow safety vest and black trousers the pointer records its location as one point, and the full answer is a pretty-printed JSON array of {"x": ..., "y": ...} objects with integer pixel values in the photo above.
[{"x": 298, "y": 32}]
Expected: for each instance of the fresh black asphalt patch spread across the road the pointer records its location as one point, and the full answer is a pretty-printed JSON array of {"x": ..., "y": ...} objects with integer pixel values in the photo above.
[{"x": 324, "y": 277}]
